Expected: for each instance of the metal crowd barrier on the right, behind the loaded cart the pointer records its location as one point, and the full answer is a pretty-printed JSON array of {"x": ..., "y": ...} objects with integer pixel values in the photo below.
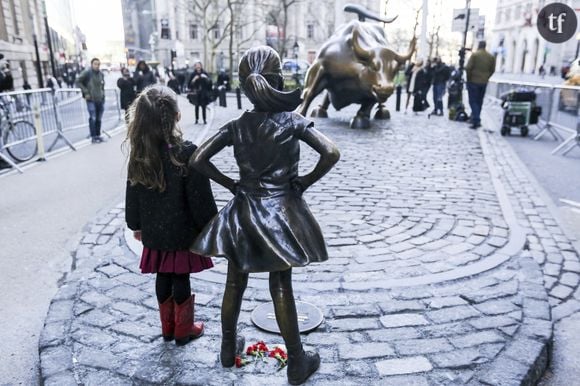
[{"x": 560, "y": 109}]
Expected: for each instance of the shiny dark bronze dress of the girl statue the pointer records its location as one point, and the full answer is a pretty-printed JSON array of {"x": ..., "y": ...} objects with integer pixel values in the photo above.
[{"x": 267, "y": 226}]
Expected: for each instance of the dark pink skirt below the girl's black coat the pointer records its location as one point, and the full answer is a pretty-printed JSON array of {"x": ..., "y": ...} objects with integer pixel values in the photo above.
[{"x": 154, "y": 260}]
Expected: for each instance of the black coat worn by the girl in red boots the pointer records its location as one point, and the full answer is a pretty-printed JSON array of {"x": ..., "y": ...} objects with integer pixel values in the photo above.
[{"x": 171, "y": 220}]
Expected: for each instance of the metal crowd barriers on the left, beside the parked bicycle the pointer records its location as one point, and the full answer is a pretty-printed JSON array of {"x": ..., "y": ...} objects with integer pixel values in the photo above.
[{"x": 60, "y": 115}]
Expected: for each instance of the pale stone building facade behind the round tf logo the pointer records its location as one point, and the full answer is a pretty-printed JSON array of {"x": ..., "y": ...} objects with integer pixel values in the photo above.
[{"x": 517, "y": 44}]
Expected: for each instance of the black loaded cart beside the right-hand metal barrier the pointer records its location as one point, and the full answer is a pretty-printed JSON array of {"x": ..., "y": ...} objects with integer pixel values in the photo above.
[{"x": 520, "y": 111}]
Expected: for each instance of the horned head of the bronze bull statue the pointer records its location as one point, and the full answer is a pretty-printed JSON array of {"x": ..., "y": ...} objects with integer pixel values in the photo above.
[{"x": 381, "y": 64}]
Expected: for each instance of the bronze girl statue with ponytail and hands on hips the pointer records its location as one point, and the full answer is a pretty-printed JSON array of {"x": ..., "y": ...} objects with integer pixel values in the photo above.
[{"x": 267, "y": 227}]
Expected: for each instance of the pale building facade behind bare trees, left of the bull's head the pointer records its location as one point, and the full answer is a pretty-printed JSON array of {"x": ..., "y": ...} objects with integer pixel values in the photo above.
[{"x": 182, "y": 34}]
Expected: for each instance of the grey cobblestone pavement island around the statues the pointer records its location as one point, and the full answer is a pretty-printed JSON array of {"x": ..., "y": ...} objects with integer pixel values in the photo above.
[{"x": 444, "y": 265}]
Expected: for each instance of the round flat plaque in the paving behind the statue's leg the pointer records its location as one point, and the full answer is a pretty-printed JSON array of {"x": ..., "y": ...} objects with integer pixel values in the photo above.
[{"x": 309, "y": 317}]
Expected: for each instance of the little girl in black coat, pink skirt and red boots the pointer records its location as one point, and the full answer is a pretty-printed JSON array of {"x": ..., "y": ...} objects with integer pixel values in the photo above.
[{"x": 166, "y": 206}]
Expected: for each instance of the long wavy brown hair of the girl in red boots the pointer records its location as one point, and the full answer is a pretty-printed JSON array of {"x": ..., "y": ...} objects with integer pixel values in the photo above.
[{"x": 152, "y": 126}]
